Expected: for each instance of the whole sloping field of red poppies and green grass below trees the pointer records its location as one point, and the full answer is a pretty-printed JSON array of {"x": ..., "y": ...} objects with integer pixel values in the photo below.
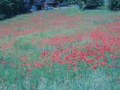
[{"x": 62, "y": 50}]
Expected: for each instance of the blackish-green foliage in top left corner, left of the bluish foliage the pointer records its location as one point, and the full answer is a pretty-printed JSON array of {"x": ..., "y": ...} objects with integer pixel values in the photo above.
[{"x": 11, "y": 7}]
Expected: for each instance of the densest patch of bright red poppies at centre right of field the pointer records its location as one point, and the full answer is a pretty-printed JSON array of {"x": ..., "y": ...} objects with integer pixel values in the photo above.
[{"x": 104, "y": 42}]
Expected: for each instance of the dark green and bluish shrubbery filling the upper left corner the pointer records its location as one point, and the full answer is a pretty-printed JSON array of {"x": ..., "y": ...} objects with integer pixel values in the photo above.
[{"x": 13, "y": 7}]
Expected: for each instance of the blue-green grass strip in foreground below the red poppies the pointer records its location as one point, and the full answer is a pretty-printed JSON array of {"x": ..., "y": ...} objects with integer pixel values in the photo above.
[{"x": 84, "y": 79}]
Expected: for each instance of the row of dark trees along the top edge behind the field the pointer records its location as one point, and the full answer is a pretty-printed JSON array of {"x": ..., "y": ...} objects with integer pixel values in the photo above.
[{"x": 11, "y": 8}]
